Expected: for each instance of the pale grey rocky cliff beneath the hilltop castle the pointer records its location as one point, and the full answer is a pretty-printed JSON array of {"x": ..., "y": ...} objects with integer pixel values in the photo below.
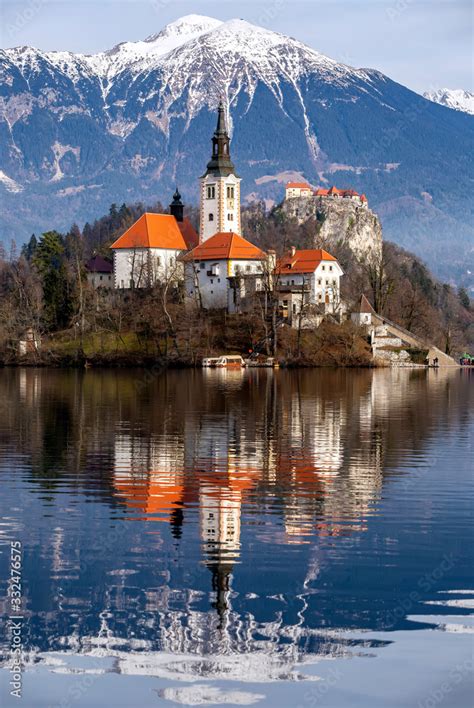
[{"x": 344, "y": 222}]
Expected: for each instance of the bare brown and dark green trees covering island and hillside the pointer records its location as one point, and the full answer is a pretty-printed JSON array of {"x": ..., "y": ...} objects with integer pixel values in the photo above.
[{"x": 44, "y": 286}]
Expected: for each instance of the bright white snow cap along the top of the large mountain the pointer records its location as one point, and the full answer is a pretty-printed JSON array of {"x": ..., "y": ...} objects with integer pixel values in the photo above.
[{"x": 178, "y": 46}]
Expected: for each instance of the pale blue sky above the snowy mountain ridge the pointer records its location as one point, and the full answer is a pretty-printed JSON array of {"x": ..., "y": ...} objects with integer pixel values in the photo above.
[{"x": 423, "y": 44}]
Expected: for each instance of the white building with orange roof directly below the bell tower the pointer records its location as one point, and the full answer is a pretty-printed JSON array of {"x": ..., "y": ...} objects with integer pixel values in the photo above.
[{"x": 224, "y": 270}]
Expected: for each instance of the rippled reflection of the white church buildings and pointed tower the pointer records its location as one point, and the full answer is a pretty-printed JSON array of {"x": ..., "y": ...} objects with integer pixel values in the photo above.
[{"x": 222, "y": 462}]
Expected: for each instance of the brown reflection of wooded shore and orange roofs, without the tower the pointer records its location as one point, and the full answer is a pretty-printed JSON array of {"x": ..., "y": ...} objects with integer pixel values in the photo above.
[{"x": 315, "y": 443}]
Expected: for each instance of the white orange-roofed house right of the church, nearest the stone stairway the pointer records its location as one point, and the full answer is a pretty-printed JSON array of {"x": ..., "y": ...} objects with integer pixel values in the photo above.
[{"x": 307, "y": 278}]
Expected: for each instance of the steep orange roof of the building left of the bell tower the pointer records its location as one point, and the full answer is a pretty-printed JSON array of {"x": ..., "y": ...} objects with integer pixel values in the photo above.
[{"x": 153, "y": 231}]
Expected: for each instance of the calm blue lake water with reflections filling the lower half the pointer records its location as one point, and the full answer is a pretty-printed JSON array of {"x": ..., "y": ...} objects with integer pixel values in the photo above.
[{"x": 284, "y": 539}]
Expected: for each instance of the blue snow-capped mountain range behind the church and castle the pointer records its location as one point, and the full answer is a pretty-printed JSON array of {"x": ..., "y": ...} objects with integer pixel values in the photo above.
[{"x": 78, "y": 132}]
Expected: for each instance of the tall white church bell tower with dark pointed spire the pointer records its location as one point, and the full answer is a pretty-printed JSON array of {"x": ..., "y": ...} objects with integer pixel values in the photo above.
[{"x": 220, "y": 186}]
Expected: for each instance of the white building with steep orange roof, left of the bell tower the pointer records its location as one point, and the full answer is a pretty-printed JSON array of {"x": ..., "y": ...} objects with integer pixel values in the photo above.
[{"x": 148, "y": 251}]
